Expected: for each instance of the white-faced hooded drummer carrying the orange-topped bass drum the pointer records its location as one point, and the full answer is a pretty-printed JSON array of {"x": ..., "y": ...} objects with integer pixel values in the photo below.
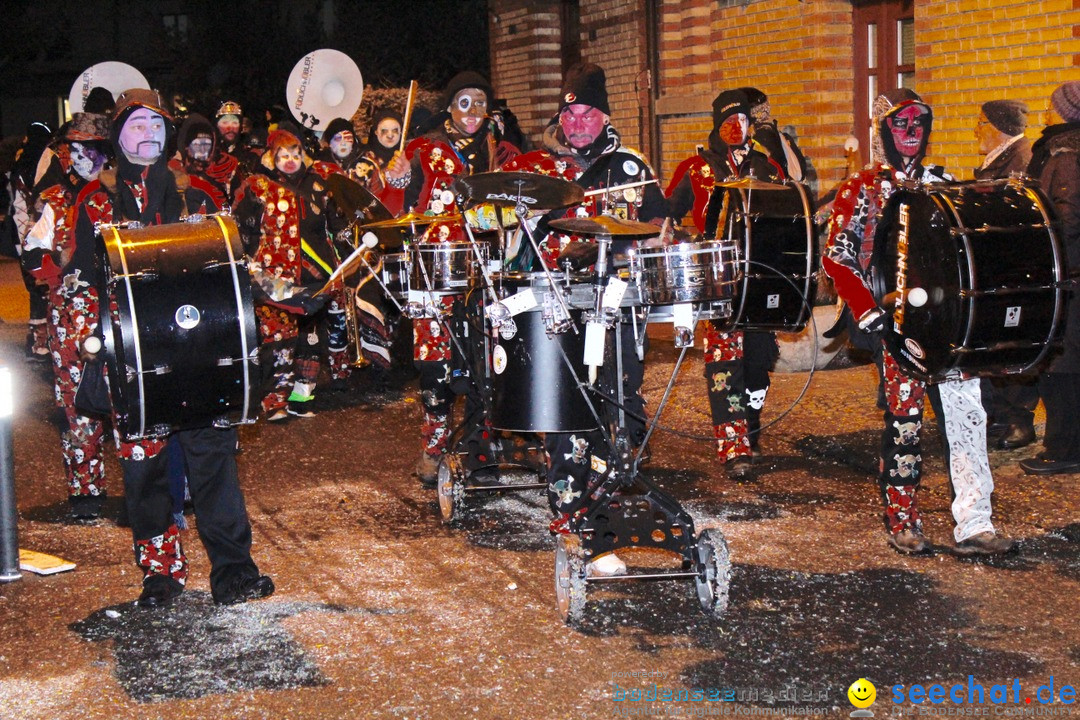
[{"x": 143, "y": 189}]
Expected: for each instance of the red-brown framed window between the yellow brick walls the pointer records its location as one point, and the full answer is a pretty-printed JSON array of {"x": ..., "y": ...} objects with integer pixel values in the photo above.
[{"x": 885, "y": 57}]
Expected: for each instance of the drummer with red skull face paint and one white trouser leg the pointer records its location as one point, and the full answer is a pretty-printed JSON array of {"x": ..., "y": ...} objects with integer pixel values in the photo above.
[{"x": 900, "y": 134}]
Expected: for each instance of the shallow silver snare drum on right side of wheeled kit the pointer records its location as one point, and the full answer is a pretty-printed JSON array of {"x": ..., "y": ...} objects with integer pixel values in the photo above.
[{"x": 684, "y": 273}]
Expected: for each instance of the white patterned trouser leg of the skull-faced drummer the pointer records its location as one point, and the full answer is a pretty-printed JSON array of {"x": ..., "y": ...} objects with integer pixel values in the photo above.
[{"x": 965, "y": 424}]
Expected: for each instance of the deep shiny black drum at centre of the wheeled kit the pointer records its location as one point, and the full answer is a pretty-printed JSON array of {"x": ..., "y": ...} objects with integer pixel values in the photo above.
[{"x": 533, "y": 389}]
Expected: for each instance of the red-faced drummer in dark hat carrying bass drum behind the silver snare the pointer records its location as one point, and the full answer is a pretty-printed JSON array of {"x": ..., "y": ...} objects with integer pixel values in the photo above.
[{"x": 737, "y": 363}]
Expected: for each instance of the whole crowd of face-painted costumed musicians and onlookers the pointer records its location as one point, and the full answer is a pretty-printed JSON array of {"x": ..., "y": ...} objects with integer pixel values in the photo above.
[{"x": 127, "y": 159}]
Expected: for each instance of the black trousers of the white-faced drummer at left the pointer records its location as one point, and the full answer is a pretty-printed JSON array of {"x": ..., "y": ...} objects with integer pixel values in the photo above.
[{"x": 221, "y": 513}]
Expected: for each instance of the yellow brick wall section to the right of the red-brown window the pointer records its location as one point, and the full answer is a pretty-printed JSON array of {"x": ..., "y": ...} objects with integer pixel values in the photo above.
[{"x": 974, "y": 51}]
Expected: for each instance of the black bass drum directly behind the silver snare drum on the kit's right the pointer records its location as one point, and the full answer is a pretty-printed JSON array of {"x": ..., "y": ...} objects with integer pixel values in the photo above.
[{"x": 779, "y": 255}]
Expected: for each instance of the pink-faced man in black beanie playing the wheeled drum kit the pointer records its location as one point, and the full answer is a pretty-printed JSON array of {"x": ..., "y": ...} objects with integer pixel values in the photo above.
[{"x": 582, "y": 145}]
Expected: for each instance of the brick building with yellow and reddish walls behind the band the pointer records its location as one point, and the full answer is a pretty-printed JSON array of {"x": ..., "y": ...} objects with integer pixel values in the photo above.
[{"x": 819, "y": 61}]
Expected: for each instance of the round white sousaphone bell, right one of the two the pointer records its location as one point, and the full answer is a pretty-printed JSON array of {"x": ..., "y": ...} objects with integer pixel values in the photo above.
[{"x": 323, "y": 86}]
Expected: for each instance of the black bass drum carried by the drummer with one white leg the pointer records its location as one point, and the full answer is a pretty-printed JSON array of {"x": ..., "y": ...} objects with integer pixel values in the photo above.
[{"x": 979, "y": 275}]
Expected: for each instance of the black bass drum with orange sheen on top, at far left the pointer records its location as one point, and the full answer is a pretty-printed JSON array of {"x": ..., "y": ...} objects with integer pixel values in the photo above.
[{"x": 181, "y": 339}]
